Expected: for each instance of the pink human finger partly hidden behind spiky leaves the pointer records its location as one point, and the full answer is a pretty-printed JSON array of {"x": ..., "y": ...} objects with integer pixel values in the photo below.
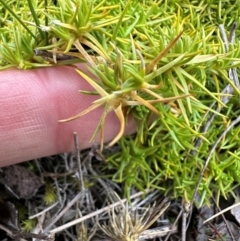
[{"x": 32, "y": 102}]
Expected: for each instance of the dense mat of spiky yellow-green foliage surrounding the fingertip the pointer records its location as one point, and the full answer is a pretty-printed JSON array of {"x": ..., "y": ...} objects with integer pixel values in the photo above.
[{"x": 163, "y": 61}]
